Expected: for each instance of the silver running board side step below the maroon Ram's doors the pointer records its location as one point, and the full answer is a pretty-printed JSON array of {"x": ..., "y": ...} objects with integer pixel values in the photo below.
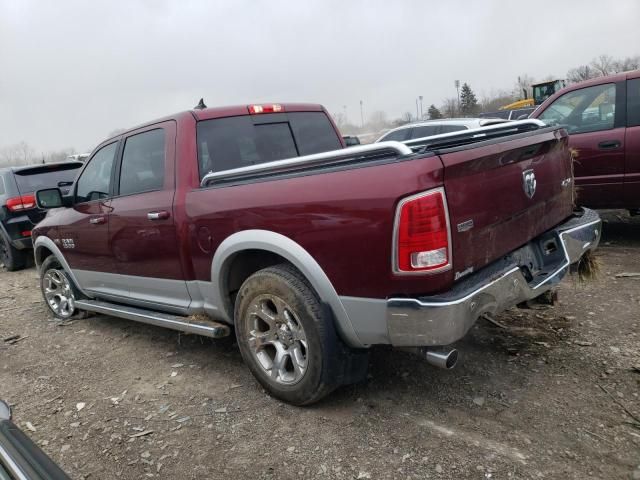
[{"x": 206, "y": 328}]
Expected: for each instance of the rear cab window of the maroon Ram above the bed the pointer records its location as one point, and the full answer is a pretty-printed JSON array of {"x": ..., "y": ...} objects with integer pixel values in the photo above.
[{"x": 234, "y": 142}]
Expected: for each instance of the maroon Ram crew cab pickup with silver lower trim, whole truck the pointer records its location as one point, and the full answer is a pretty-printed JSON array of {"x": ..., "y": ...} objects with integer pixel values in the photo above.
[{"x": 258, "y": 218}]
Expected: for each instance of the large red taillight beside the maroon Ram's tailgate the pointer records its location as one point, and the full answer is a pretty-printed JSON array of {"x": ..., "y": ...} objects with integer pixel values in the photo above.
[{"x": 422, "y": 240}]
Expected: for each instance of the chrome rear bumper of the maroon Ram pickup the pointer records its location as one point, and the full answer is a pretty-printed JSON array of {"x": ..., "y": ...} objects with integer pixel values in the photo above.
[{"x": 441, "y": 320}]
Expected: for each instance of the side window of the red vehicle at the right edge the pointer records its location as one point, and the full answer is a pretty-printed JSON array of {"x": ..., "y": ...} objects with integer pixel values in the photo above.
[{"x": 589, "y": 109}]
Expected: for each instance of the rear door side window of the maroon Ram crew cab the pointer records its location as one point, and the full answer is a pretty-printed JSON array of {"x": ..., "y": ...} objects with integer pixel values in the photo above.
[{"x": 142, "y": 167}]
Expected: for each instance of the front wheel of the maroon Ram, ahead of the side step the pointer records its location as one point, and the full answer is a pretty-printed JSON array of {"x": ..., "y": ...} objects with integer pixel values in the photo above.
[{"x": 58, "y": 290}]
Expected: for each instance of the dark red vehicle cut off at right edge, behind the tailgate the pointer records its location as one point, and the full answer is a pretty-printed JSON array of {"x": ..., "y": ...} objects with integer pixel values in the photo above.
[{"x": 602, "y": 116}]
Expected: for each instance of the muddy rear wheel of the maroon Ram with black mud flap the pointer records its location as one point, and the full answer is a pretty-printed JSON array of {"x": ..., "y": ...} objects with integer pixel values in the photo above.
[{"x": 288, "y": 340}]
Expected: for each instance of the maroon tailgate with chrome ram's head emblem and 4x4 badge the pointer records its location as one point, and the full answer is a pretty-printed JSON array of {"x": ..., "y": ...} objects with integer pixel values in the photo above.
[{"x": 489, "y": 187}]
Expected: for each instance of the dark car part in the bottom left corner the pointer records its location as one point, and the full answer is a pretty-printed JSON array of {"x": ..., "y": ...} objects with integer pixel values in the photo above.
[{"x": 20, "y": 458}]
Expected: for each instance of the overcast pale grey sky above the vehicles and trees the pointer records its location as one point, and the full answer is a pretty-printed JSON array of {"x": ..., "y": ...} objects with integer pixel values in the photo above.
[{"x": 73, "y": 71}]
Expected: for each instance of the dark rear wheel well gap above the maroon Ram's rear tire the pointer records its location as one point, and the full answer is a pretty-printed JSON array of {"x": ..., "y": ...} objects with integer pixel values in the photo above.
[{"x": 240, "y": 267}]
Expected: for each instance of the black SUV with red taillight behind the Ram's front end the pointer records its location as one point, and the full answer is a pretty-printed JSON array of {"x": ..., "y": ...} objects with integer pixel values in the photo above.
[{"x": 18, "y": 211}]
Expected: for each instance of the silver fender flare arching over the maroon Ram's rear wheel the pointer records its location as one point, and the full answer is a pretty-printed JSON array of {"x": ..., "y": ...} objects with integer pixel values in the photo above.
[{"x": 297, "y": 256}]
